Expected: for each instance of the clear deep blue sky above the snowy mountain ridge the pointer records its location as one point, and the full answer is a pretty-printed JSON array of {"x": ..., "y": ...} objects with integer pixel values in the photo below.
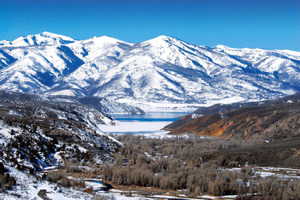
[{"x": 237, "y": 23}]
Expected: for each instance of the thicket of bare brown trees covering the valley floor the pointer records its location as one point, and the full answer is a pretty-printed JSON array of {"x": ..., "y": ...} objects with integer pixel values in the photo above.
[{"x": 192, "y": 165}]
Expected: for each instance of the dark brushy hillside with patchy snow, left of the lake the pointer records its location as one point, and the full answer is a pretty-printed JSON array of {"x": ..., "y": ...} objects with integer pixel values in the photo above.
[{"x": 38, "y": 135}]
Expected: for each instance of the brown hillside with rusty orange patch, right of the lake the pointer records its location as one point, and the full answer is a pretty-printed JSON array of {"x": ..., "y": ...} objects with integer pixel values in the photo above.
[{"x": 265, "y": 121}]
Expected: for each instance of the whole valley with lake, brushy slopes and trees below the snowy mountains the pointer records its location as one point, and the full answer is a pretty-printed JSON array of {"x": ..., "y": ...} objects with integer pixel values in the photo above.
[{"x": 53, "y": 149}]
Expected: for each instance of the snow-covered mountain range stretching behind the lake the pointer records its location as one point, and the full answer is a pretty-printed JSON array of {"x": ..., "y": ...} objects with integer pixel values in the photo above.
[{"x": 159, "y": 73}]
